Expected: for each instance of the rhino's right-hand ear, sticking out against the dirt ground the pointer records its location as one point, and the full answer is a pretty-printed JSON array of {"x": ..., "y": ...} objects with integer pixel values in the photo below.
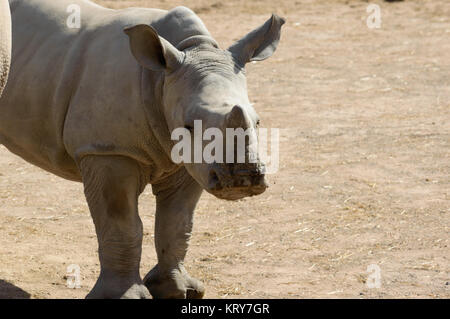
[{"x": 259, "y": 44}]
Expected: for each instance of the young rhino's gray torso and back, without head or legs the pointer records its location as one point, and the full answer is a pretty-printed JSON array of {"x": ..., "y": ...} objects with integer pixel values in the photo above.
[{"x": 73, "y": 91}]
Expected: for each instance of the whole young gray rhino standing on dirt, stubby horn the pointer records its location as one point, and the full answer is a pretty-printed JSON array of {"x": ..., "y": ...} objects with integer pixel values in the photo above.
[{"x": 97, "y": 105}]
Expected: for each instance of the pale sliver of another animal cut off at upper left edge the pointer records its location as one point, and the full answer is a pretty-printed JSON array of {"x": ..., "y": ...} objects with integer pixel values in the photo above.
[{"x": 5, "y": 43}]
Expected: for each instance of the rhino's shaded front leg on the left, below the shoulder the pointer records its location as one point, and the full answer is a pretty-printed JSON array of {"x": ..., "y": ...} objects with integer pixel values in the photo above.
[{"x": 112, "y": 186}]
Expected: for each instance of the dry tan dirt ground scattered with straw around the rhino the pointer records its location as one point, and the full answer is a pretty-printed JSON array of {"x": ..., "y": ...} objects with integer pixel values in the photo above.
[{"x": 364, "y": 172}]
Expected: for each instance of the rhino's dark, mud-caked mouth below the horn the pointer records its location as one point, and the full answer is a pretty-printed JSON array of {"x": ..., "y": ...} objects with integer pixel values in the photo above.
[{"x": 236, "y": 185}]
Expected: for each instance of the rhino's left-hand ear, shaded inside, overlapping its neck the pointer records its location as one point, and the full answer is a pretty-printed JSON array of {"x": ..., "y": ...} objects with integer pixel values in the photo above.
[{"x": 152, "y": 51}]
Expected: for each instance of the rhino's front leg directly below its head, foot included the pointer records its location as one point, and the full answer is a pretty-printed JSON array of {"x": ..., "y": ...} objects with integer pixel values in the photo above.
[{"x": 176, "y": 199}]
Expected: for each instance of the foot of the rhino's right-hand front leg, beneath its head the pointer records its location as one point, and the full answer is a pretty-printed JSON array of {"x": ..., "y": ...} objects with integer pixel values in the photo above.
[{"x": 175, "y": 284}]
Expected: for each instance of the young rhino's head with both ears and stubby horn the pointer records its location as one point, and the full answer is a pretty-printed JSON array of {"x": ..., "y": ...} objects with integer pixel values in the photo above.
[{"x": 205, "y": 83}]
